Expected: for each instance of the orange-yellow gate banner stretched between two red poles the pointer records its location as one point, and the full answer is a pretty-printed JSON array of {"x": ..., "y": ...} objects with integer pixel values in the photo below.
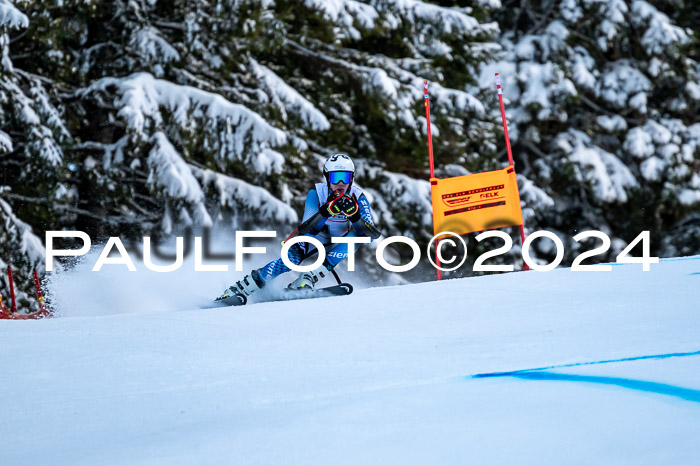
[{"x": 482, "y": 201}]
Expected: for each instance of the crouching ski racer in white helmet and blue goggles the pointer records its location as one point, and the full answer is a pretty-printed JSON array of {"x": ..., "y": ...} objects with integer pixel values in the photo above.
[{"x": 334, "y": 208}]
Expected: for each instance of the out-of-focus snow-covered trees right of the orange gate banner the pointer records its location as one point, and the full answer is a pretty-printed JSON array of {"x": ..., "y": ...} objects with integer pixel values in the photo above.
[{"x": 604, "y": 98}]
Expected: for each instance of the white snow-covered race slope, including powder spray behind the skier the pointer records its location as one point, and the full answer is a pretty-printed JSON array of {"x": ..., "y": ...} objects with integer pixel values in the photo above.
[{"x": 578, "y": 368}]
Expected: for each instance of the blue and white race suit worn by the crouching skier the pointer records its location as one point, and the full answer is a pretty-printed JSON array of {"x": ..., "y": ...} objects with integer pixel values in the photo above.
[{"x": 324, "y": 230}]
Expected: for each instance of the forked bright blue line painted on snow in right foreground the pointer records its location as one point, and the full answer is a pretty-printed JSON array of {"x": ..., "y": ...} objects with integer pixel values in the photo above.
[{"x": 653, "y": 387}]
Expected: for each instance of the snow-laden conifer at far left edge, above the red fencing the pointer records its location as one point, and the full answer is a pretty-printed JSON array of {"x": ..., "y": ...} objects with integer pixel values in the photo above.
[{"x": 31, "y": 131}]
